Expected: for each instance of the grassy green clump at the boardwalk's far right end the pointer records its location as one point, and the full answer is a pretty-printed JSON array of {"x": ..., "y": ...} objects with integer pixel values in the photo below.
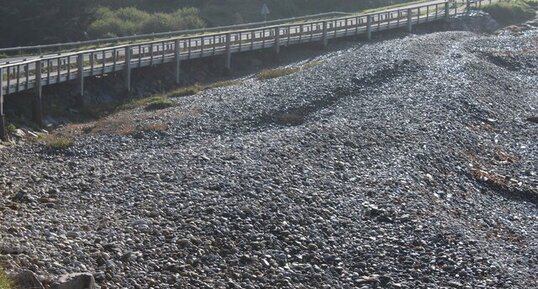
[{"x": 510, "y": 12}]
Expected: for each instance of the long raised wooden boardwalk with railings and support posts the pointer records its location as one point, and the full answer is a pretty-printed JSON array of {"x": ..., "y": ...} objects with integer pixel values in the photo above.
[{"x": 42, "y": 71}]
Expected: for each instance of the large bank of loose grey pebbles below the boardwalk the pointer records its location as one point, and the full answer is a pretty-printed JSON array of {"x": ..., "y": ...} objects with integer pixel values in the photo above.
[{"x": 407, "y": 163}]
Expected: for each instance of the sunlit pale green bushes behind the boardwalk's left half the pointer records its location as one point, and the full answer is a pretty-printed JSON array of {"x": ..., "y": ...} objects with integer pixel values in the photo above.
[{"x": 130, "y": 21}]
